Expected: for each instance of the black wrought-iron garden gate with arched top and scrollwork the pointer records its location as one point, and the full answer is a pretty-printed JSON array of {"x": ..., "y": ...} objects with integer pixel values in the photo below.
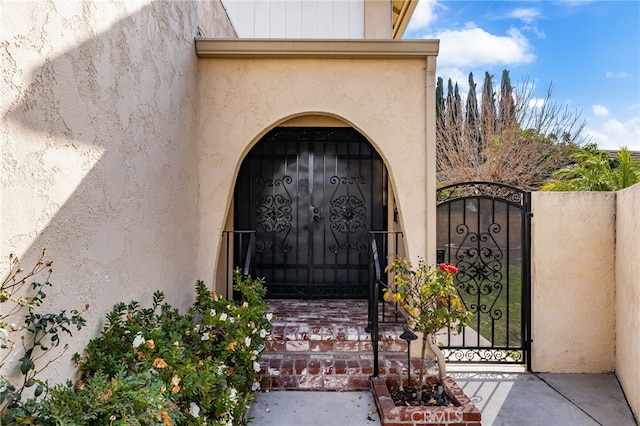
[{"x": 484, "y": 229}]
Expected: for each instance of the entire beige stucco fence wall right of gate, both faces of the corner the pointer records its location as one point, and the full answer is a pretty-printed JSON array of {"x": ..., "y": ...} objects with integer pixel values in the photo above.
[{"x": 585, "y": 287}]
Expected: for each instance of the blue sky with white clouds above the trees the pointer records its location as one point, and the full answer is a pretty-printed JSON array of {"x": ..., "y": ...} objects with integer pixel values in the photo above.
[{"x": 588, "y": 49}]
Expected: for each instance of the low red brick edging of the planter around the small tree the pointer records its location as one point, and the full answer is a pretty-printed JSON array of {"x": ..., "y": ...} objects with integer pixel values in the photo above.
[{"x": 465, "y": 413}]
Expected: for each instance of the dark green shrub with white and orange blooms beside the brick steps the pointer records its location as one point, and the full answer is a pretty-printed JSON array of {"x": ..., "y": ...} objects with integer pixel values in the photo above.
[{"x": 207, "y": 360}]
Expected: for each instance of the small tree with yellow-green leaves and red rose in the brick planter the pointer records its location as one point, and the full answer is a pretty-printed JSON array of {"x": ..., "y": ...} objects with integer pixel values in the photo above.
[{"x": 430, "y": 301}]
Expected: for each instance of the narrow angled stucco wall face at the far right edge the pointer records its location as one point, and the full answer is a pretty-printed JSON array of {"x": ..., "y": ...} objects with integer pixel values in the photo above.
[{"x": 627, "y": 304}]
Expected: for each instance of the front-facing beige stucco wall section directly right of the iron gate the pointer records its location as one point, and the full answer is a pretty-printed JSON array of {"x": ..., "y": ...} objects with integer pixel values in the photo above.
[{"x": 573, "y": 282}]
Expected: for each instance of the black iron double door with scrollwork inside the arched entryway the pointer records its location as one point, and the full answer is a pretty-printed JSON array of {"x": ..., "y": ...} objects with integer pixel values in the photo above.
[{"x": 312, "y": 195}]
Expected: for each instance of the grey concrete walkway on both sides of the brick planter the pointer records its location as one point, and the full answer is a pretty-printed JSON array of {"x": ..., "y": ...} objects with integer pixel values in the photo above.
[{"x": 506, "y": 396}]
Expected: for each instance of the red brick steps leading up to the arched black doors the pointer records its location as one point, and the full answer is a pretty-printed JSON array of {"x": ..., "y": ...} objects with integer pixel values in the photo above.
[{"x": 322, "y": 345}]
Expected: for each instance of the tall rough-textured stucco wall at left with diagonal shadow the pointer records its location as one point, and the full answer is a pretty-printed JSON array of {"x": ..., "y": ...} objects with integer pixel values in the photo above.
[{"x": 99, "y": 153}]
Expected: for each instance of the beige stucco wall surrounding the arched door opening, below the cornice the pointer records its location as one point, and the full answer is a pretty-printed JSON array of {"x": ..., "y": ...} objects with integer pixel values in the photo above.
[{"x": 241, "y": 99}]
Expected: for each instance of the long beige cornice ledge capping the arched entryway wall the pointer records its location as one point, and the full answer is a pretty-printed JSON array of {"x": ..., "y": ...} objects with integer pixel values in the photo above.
[{"x": 328, "y": 49}]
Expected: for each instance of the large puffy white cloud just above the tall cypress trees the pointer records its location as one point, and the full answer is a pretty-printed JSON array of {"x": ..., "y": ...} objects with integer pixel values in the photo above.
[{"x": 473, "y": 47}]
